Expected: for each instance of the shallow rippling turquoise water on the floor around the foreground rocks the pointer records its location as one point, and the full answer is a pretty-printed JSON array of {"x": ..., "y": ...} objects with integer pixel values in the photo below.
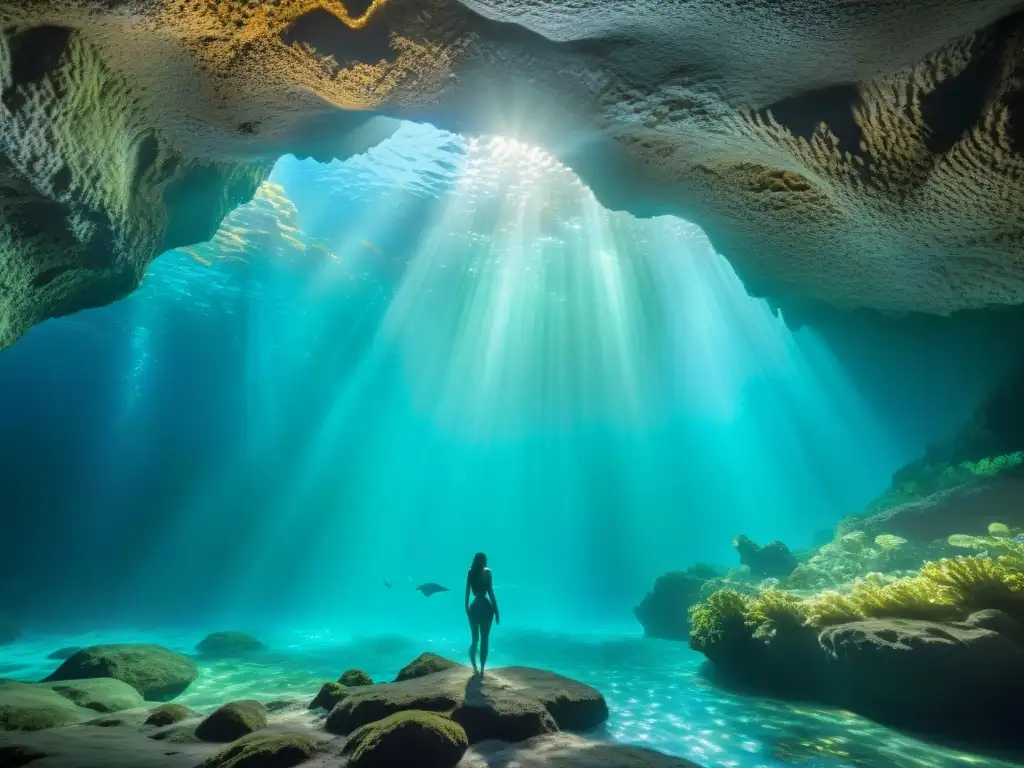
[{"x": 655, "y": 690}]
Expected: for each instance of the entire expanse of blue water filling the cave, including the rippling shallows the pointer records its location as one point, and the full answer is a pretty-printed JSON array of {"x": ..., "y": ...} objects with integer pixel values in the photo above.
[{"x": 383, "y": 366}]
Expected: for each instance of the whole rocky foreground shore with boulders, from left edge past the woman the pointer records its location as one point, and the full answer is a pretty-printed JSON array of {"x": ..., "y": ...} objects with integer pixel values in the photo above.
[{"x": 513, "y": 717}]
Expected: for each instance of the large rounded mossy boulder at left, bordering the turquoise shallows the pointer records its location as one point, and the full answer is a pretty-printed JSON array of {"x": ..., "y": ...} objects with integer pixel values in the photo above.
[{"x": 155, "y": 672}]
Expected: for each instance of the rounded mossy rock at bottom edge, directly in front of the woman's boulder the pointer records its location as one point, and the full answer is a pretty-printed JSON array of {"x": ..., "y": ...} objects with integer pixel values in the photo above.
[{"x": 436, "y": 741}]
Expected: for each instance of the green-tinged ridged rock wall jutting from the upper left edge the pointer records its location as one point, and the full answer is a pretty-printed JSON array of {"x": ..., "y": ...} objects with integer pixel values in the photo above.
[{"x": 90, "y": 192}]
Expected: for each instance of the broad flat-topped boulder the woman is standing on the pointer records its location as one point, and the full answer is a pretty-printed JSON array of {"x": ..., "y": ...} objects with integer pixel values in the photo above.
[{"x": 510, "y": 704}]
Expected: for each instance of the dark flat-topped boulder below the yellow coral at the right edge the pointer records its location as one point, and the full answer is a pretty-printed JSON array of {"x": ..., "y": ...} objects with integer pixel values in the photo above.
[{"x": 957, "y": 678}]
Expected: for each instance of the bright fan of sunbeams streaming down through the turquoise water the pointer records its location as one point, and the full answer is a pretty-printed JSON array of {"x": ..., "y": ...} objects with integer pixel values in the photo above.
[{"x": 495, "y": 362}]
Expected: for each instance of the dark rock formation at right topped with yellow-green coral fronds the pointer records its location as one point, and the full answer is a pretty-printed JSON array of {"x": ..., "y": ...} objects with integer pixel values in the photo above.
[{"x": 940, "y": 653}]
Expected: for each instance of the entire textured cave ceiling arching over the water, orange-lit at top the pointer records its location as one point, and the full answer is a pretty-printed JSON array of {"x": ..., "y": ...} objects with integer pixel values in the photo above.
[{"x": 859, "y": 155}]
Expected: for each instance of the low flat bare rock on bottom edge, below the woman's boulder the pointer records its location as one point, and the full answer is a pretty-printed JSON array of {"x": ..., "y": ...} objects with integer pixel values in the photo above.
[{"x": 567, "y": 751}]
